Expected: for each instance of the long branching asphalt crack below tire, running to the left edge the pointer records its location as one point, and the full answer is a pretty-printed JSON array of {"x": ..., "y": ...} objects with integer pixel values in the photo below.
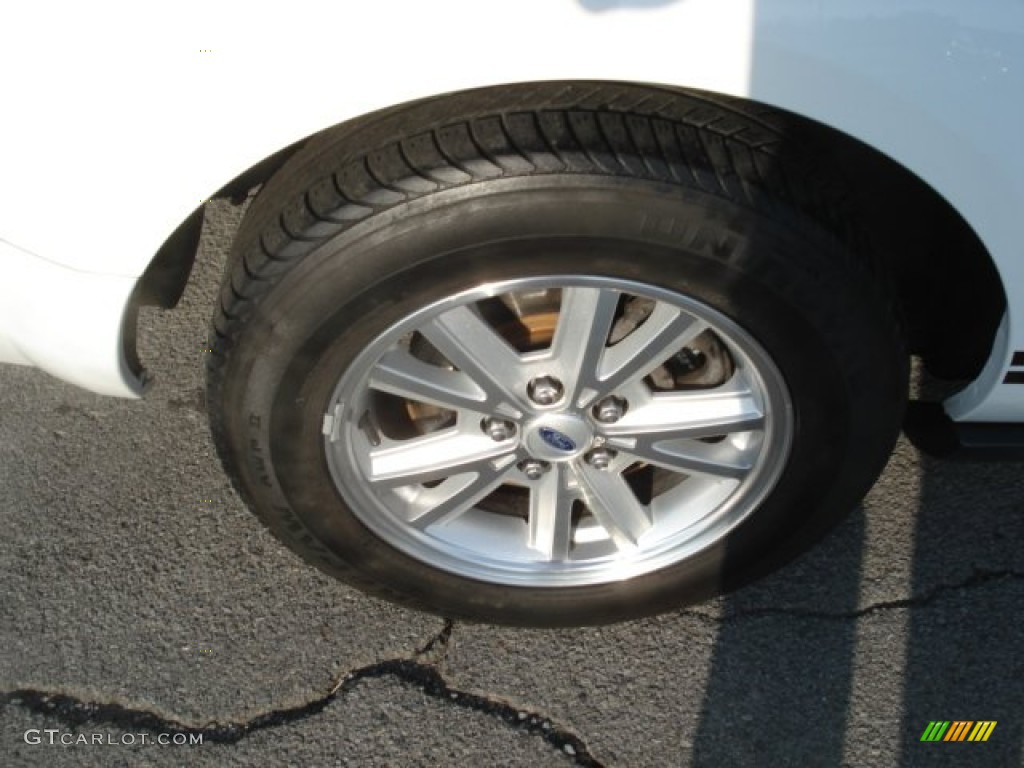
[{"x": 73, "y": 712}]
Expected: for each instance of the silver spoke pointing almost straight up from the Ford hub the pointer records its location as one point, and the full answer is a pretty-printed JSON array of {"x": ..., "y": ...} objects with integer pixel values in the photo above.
[{"x": 584, "y": 324}]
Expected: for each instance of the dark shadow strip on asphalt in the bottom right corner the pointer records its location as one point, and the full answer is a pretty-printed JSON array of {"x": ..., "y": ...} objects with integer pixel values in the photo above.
[{"x": 965, "y": 653}]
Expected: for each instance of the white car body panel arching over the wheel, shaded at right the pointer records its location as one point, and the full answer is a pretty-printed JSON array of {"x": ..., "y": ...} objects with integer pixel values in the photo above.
[{"x": 124, "y": 117}]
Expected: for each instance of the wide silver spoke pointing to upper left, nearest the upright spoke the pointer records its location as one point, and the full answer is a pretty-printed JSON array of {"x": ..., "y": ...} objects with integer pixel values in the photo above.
[{"x": 478, "y": 351}]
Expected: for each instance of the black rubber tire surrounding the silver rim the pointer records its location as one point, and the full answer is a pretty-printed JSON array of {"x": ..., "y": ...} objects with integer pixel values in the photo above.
[{"x": 704, "y": 198}]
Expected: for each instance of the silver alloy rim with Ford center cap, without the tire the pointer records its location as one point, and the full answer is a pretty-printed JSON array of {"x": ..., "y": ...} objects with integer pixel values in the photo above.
[{"x": 436, "y": 443}]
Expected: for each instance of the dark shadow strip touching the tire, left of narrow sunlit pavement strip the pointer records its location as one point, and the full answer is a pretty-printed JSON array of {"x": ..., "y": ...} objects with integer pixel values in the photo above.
[{"x": 782, "y": 673}]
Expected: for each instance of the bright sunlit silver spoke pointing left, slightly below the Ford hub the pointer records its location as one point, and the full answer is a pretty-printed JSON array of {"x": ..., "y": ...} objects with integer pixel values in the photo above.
[{"x": 437, "y": 457}]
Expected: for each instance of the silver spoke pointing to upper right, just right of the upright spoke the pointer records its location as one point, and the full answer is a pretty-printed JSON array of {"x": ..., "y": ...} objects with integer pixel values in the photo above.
[{"x": 665, "y": 332}]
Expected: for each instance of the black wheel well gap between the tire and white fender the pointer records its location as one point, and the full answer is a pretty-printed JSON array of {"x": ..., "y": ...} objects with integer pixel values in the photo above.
[{"x": 942, "y": 271}]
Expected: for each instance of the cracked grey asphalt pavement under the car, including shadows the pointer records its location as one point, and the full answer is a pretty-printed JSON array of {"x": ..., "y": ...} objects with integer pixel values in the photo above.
[{"x": 143, "y": 604}]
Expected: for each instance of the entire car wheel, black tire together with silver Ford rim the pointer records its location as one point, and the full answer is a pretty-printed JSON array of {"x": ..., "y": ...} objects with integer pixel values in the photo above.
[{"x": 535, "y": 361}]
